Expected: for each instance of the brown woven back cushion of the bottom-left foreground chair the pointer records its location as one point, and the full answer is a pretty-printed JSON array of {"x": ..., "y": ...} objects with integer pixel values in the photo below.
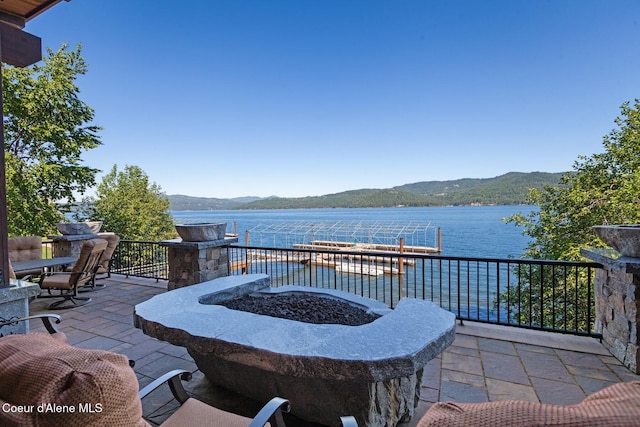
[{"x": 65, "y": 385}]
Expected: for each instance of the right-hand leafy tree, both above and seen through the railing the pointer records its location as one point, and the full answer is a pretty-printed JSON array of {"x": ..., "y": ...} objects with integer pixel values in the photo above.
[{"x": 601, "y": 189}]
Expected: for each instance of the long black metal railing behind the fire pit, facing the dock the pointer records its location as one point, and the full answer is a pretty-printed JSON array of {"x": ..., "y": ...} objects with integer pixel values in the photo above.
[{"x": 546, "y": 295}]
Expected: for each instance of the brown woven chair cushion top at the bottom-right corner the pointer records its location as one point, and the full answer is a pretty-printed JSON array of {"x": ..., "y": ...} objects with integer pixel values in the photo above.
[{"x": 616, "y": 405}]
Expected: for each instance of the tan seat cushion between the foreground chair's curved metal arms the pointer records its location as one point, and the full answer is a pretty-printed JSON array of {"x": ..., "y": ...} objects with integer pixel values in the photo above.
[{"x": 195, "y": 413}]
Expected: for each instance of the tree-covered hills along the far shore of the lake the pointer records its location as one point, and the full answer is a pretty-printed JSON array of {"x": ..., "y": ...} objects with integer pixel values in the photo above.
[{"x": 509, "y": 189}]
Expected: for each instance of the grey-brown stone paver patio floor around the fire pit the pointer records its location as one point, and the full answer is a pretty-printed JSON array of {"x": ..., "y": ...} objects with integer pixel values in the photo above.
[{"x": 485, "y": 362}]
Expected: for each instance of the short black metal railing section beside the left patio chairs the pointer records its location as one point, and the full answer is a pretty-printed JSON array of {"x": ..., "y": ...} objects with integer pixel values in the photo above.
[{"x": 141, "y": 259}]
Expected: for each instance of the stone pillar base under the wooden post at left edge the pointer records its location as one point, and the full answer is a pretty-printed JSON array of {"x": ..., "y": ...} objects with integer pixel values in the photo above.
[{"x": 14, "y": 303}]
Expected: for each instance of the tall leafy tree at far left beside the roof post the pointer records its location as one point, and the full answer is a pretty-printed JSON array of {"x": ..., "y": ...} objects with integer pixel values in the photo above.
[{"x": 47, "y": 128}]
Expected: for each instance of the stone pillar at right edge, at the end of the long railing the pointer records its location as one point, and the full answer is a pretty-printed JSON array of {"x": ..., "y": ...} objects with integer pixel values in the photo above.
[{"x": 617, "y": 301}]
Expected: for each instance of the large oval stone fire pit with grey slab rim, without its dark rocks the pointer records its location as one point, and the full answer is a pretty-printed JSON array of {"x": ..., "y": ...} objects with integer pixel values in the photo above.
[{"x": 372, "y": 371}]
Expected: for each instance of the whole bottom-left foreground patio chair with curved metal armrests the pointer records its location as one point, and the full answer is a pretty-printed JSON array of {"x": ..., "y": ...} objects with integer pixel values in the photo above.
[{"x": 100, "y": 386}]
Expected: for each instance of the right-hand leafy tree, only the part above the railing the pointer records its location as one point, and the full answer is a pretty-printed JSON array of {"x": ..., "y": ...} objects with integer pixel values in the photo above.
[{"x": 602, "y": 189}]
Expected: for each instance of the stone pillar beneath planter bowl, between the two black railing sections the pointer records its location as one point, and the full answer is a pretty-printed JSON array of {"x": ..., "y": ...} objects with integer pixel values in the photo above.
[{"x": 196, "y": 262}]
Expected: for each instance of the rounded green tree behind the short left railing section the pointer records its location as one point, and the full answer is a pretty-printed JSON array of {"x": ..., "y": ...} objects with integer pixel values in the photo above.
[{"x": 132, "y": 207}]
